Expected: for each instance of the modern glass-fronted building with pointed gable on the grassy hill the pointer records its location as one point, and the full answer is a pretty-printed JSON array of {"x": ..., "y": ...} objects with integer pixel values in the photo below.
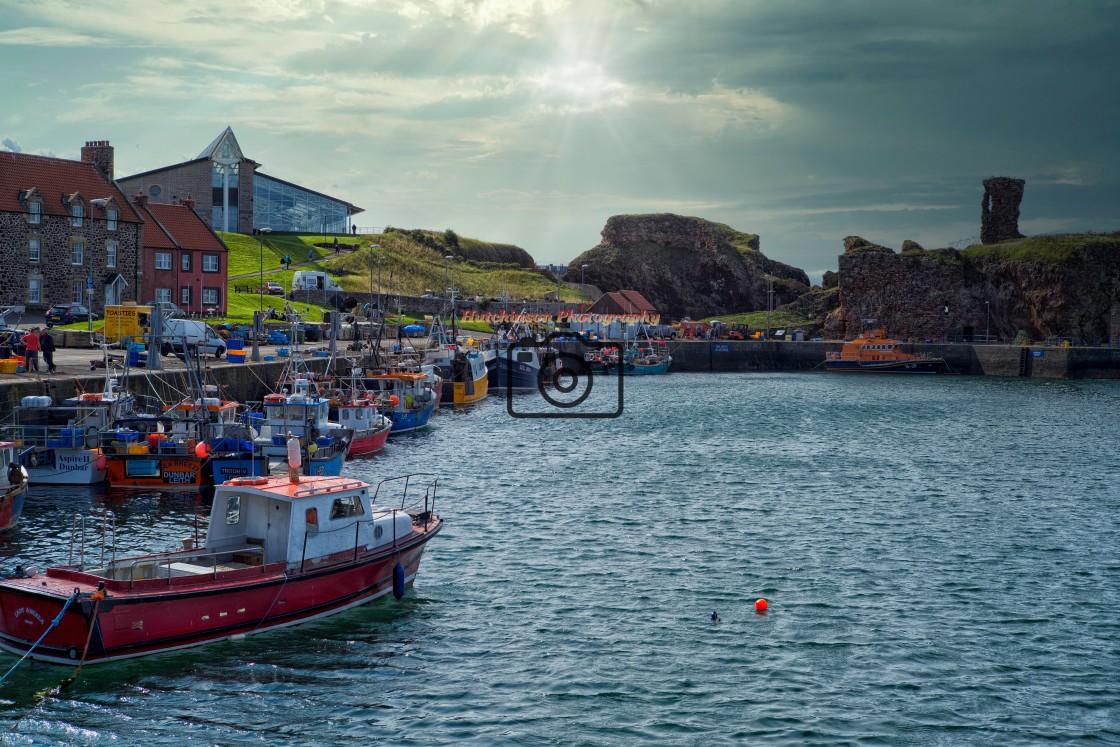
[{"x": 231, "y": 194}]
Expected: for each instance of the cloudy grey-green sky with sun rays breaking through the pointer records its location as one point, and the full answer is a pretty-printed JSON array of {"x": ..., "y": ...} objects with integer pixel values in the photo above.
[{"x": 534, "y": 122}]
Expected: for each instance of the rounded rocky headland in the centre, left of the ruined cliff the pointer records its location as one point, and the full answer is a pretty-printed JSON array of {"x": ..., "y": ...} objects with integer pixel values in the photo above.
[{"x": 687, "y": 266}]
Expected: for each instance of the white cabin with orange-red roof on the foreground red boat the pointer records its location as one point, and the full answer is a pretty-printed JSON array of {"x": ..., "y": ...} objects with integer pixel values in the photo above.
[{"x": 301, "y": 522}]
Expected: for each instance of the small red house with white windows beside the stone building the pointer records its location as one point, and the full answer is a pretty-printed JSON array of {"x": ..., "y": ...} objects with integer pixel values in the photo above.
[{"x": 184, "y": 262}]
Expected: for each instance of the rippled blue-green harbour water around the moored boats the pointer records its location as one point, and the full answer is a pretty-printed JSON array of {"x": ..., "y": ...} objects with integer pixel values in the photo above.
[{"x": 941, "y": 557}]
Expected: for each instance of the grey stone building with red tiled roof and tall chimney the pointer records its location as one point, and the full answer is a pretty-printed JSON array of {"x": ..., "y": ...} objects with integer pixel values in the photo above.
[{"x": 68, "y": 232}]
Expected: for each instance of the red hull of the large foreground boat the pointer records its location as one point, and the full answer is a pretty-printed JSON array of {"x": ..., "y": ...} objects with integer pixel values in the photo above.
[{"x": 166, "y": 614}]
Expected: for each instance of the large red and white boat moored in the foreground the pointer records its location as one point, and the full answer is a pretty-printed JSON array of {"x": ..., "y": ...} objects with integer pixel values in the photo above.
[{"x": 279, "y": 552}]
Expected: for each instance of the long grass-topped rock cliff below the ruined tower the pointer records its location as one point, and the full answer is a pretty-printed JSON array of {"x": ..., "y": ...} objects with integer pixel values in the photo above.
[{"x": 1059, "y": 286}]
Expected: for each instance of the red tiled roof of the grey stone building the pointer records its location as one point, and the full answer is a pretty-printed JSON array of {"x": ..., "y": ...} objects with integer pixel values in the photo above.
[{"x": 58, "y": 179}]
